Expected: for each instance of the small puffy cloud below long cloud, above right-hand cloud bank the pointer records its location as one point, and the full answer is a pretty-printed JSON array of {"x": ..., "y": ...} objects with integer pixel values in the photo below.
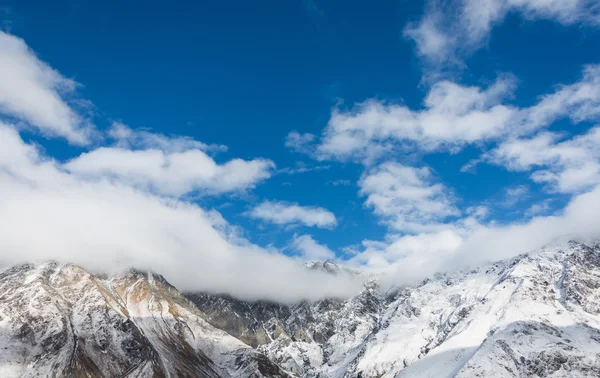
[{"x": 406, "y": 197}]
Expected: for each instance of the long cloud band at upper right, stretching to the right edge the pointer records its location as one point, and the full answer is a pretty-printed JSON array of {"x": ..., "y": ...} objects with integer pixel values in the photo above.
[{"x": 452, "y": 117}]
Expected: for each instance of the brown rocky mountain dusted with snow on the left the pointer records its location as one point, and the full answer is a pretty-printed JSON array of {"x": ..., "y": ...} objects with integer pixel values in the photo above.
[{"x": 60, "y": 321}]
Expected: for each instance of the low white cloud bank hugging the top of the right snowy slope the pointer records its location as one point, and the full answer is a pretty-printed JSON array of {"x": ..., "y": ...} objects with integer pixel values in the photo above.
[{"x": 410, "y": 258}]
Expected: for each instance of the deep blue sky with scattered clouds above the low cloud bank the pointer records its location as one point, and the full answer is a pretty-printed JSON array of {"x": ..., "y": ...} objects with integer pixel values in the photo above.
[{"x": 358, "y": 128}]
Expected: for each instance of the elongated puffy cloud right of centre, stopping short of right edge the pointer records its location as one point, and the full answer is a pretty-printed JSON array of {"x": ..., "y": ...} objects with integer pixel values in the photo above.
[{"x": 453, "y": 116}]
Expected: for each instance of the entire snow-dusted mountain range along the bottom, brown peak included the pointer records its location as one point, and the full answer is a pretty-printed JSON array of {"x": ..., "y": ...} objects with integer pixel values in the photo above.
[{"x": 533, "y": 315}]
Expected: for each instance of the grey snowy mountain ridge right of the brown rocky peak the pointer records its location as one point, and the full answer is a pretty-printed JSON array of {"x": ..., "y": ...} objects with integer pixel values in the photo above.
[{"x": 533, "y": 315}]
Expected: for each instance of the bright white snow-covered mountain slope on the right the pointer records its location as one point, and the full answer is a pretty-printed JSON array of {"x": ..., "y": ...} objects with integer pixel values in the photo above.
[{"x": 465, "y": 325}]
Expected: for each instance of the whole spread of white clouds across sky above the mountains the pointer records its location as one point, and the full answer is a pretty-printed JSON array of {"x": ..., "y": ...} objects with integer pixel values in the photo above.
[{"x": 130, "y": 198}]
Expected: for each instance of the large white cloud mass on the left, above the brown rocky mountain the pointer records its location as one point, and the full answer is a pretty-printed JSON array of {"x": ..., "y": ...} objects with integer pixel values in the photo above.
[{"x": 123, "y": 205}]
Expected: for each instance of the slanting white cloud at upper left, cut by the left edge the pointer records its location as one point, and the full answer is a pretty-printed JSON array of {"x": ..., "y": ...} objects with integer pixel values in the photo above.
[{"x": 33, "y": 92}]
